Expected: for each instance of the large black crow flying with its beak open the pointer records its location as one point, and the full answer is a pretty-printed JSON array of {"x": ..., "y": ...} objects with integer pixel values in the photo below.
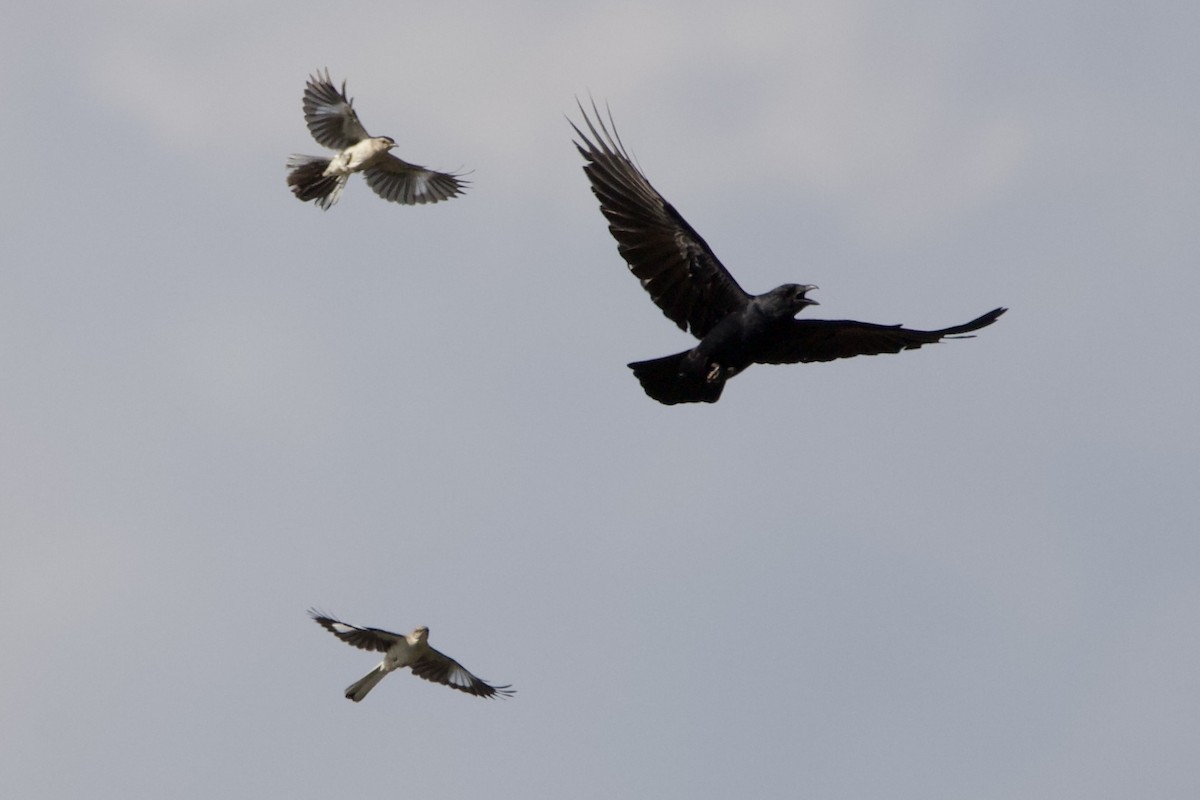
[{"x": 692, "y": 287}]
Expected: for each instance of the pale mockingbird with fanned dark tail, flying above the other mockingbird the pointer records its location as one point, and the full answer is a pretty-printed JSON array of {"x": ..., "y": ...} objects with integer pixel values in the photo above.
[{"x": 333, "y": 122}]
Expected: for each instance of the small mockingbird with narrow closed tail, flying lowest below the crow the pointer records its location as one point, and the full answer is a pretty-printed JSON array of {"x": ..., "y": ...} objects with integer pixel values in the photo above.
[{"x": 412, "y": 652}]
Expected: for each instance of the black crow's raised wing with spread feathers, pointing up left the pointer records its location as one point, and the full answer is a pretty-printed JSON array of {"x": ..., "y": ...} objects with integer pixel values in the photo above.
[{"x": 685, "y": 279}]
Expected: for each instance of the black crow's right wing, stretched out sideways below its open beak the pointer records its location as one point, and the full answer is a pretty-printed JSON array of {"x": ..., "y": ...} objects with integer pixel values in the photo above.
[{"x": 826, "y": 340}]
